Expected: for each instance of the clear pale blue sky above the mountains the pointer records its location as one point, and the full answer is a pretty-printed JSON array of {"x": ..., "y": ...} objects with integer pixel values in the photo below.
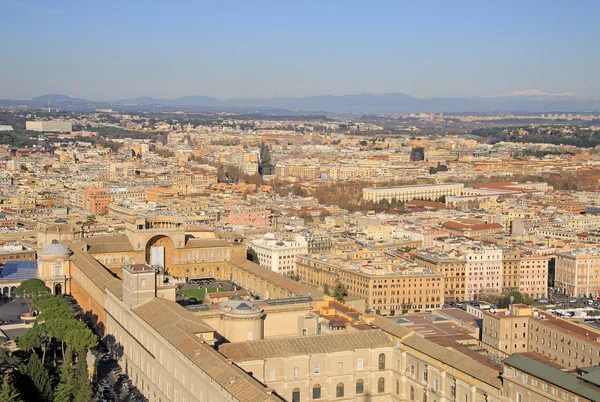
[{"x": 108, "y": 50}]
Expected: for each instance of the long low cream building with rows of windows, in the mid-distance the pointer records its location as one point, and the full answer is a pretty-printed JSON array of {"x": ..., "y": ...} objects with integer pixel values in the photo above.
[{"x": 407, "y": 193}]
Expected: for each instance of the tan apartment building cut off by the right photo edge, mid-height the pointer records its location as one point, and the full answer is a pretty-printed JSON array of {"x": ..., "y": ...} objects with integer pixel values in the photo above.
[{"x": 577, "y": 272}]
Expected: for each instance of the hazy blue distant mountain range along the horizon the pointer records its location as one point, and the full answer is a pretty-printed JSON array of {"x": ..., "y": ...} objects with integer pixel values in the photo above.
[{"x": 533, "y": 101}]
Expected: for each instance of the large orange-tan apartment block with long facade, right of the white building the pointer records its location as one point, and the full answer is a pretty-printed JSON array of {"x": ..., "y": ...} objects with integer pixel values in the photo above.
[{"x": 387, "y": 285}]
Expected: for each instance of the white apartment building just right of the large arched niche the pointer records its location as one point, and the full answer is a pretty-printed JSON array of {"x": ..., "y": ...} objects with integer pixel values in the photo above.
[{"x": 277, "y": 254}]
